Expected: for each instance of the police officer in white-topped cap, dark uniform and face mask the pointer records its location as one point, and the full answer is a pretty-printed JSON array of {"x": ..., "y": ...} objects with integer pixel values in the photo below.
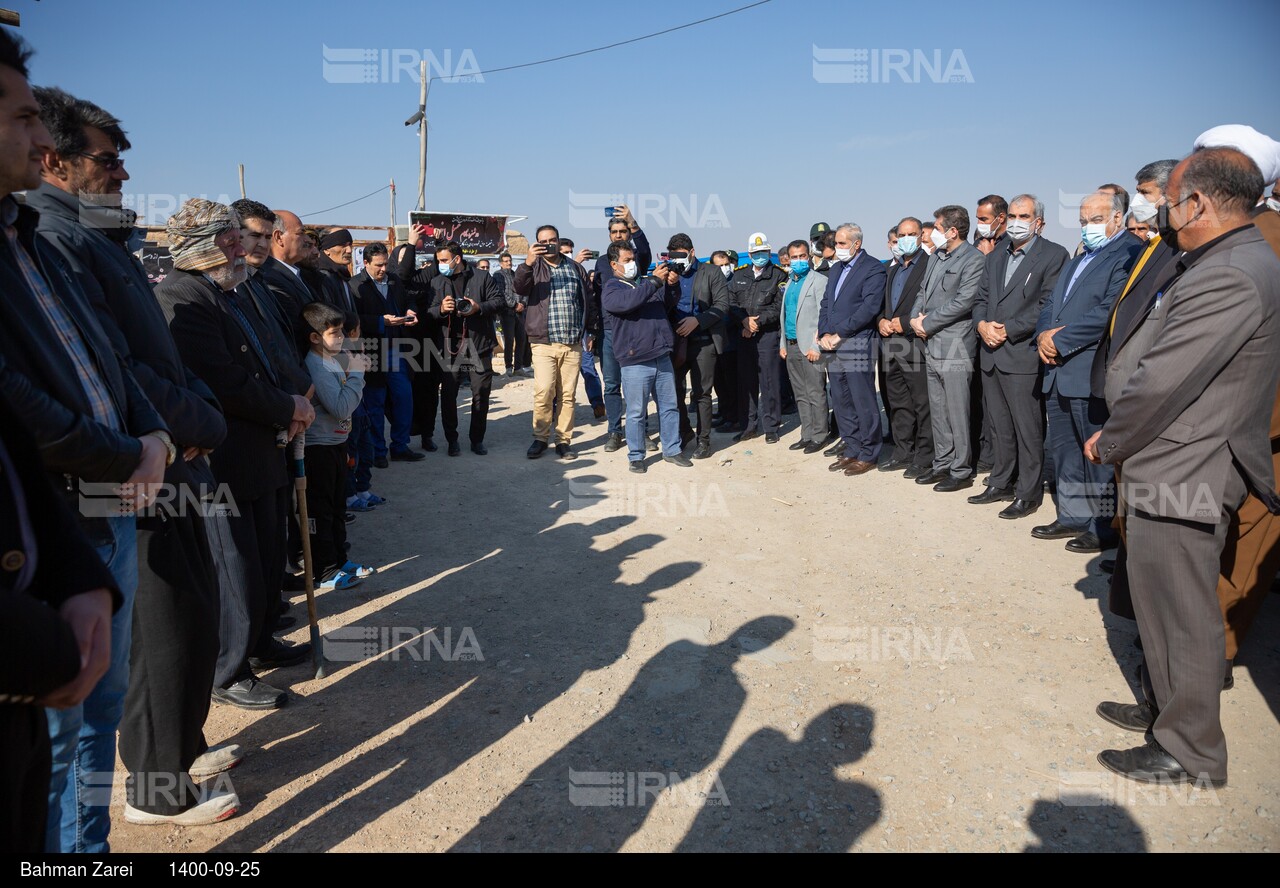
[{"x": 756, "y": 300}]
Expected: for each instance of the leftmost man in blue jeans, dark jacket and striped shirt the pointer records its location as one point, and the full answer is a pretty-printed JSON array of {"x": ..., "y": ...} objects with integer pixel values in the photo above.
[{"x": 93, "y": 424}]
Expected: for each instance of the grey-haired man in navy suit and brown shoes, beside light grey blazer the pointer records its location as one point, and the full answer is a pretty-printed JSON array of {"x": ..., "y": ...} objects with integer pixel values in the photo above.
[{"x": 847, "y": 335}]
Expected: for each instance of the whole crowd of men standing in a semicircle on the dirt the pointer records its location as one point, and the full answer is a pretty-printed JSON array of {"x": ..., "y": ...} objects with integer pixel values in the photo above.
[{"x": 1139, "y": 373}]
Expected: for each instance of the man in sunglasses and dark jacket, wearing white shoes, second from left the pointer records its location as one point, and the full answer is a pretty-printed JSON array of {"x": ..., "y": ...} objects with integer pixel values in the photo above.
[{"x": 175, "y": 639}]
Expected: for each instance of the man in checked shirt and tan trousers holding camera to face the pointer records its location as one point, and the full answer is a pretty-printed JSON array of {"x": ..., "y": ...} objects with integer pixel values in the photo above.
[{"x": 560, "y": 308}]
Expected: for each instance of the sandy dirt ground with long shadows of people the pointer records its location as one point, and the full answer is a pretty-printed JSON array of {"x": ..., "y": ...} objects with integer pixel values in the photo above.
[{"x": 749, "y": 656}]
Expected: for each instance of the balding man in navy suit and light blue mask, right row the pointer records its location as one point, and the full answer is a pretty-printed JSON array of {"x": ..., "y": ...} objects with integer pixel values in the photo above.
[{"x": 1067, "y": 337}]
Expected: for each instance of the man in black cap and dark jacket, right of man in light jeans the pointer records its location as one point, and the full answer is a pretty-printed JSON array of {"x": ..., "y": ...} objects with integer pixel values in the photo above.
[{"x": 700, "y": 317}]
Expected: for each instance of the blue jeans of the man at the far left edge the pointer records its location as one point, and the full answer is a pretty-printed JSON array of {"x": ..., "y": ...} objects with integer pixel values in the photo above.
[{"x": 84, "y": 738}]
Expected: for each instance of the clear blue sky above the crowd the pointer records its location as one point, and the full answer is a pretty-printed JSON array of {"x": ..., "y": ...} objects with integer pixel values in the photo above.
[{"x": 723, "y": 130}]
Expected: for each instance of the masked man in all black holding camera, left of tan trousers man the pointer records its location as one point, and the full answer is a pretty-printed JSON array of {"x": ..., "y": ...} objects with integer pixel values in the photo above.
[{"x": 465, "y": 301}]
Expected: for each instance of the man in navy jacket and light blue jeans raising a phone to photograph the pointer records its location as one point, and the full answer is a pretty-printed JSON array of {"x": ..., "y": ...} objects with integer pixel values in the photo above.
[{"x": 643, "y": 341}]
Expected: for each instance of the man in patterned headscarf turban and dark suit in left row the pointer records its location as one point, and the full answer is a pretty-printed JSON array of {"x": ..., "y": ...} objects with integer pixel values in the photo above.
[{"x": 222, "y": 341}]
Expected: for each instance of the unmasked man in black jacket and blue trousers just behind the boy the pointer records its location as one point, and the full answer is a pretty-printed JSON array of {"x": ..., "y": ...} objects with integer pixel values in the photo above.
[{"x": 388, "y": 314}]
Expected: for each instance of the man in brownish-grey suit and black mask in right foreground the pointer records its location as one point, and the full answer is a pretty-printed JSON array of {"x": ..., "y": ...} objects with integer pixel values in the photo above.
[{"x": 1191, "y": 392}]
